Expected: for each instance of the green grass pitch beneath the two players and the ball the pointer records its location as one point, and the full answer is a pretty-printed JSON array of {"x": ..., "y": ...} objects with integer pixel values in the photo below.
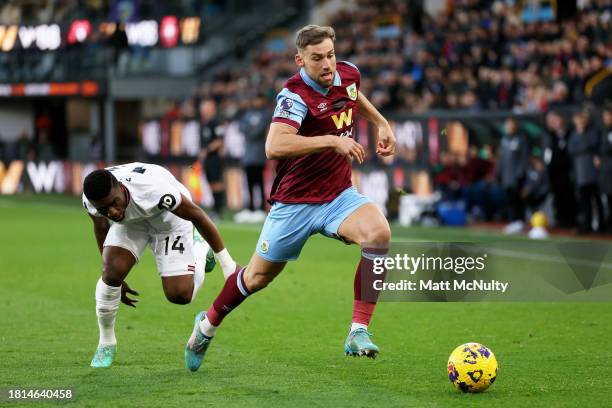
[{"x": 282, "y": 347}]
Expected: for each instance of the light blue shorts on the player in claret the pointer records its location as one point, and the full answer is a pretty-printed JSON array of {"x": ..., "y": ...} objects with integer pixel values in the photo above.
[{"x": 289, "y": 226}]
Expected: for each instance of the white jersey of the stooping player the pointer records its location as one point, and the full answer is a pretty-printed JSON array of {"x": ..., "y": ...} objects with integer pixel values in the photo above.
[{"x": 153, "y": 193}]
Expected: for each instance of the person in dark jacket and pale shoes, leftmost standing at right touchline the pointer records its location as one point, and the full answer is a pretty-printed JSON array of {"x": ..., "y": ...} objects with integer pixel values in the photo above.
[{"x": 511, "y": 171}]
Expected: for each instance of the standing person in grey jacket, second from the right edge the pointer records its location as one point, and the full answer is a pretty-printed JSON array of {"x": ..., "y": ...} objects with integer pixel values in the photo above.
[{"x": 584, "y": 147}]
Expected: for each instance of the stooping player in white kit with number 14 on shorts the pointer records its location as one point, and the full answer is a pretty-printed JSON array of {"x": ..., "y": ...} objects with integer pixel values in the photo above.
[{"x": 138, "y": 205}]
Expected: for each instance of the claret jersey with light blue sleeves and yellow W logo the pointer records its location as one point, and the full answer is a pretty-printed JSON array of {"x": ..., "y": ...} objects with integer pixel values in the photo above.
[{"x": 315, "y": 111}]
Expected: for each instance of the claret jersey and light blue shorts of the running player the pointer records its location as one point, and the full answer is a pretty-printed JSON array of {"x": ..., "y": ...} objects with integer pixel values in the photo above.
[{"x": 312, "y": 193}]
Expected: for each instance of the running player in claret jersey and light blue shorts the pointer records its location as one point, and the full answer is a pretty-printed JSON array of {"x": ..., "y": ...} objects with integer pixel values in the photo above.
[{"x": 312, "y": 137}]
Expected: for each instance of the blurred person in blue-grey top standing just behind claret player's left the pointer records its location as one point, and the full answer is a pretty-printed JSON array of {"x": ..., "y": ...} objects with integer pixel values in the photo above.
[{"x": 254, "y": 125}]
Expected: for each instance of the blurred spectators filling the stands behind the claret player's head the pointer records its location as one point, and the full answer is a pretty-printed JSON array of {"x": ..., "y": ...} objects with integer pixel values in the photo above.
[{"x": 477, "y": 56}]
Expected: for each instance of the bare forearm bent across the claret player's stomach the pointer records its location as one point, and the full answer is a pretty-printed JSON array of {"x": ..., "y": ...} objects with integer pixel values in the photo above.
[{"x": 284, "y": 142}]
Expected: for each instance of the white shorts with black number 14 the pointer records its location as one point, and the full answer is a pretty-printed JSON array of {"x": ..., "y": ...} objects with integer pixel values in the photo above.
[{"x": 173, "y": 250}]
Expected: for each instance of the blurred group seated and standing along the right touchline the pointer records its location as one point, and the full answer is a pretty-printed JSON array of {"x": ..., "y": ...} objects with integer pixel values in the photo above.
[{"x": 568, "y": 169}]
